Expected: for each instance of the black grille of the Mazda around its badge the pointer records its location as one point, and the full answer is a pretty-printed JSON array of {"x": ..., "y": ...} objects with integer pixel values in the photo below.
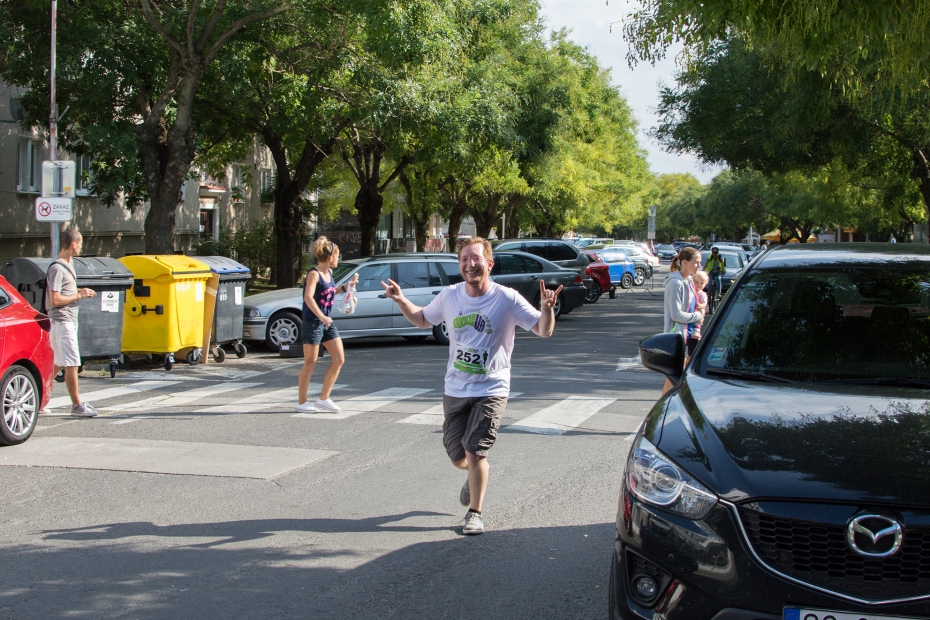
[{"x": 817, "y": 554}]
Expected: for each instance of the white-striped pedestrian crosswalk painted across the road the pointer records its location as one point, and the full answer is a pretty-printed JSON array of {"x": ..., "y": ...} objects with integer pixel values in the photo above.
[{"x": 140, "y": 400}]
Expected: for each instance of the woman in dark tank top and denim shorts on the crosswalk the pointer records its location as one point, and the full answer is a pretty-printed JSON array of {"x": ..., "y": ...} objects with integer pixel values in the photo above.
[{"x": 317, "y": 326}]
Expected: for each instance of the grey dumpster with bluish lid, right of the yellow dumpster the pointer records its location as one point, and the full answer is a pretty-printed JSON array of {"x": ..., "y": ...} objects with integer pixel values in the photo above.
[{"x": 227, "y": 317}]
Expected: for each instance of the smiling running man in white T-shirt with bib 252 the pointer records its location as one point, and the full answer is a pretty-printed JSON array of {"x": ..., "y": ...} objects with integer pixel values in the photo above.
[{"x": 481, "y": 317}]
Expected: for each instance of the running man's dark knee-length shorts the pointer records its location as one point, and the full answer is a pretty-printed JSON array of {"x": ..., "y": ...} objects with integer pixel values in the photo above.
[{"x": 471, "y": 424}]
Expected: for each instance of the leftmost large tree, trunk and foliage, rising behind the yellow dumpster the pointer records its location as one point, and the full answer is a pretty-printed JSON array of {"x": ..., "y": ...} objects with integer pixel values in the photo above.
[{"x": 129, "y": 74}]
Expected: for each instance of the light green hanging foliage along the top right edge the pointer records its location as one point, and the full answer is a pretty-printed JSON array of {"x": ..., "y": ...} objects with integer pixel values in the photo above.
[{"x": 852, "y": 43}]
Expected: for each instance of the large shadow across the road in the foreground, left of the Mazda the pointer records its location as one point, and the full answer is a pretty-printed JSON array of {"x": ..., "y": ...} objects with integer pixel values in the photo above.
[{"x": 118, "y": 571}]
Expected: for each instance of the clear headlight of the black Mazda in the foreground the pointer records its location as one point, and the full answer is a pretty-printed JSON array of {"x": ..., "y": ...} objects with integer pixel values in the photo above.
[{"x": 654, "y": 479}]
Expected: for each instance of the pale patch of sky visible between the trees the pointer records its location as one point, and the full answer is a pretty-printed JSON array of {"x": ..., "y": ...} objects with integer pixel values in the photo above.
[{"x": 590, "y": 24}]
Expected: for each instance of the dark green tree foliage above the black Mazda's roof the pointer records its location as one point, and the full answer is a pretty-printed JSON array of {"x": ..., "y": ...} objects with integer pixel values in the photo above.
[{"x": 732, "y": 107}]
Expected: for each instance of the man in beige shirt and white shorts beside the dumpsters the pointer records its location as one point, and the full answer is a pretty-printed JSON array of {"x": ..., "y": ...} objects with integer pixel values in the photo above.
[{"x": 61, "y": 302}]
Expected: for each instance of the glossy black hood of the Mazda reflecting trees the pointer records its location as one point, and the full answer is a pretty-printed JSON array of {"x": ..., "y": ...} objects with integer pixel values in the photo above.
[{"x": 835, "y": 443}]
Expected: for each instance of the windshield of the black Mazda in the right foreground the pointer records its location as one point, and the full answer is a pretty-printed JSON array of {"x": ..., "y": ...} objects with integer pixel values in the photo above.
[{"x": 856, "y": 325}]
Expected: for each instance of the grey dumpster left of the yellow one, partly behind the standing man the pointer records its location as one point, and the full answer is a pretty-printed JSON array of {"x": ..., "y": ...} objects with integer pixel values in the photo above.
[{"x": 100, "y": 319}]
